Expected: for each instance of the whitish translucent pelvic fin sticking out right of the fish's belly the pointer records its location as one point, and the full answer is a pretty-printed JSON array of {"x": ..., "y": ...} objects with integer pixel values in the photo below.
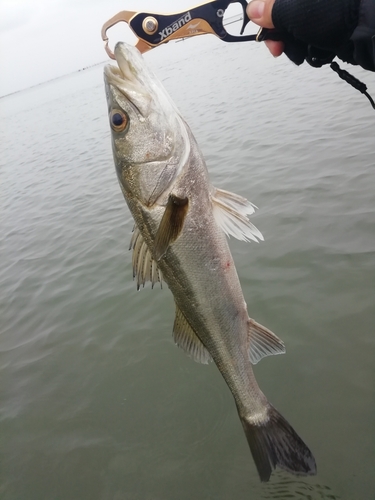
[{"x": 231, "y": 211}]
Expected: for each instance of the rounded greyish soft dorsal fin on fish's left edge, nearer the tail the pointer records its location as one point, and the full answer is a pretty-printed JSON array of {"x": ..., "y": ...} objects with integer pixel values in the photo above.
[{"x": 187, "y": 339}]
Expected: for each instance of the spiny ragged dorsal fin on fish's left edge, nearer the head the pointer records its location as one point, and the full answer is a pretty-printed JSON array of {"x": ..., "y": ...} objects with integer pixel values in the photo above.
[{"x": 144, "y": 266}]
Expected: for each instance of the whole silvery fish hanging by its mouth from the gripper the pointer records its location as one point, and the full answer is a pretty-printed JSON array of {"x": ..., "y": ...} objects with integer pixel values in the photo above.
[{"x": 180, "y": 237}]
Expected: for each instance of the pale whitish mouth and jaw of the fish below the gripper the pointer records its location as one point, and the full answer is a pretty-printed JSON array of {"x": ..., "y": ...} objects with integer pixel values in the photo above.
[{"x": 129, "y": 78}]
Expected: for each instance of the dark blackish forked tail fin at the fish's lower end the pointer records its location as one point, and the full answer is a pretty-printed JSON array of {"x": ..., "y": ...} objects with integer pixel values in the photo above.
[{"x": 274, "y": 443}]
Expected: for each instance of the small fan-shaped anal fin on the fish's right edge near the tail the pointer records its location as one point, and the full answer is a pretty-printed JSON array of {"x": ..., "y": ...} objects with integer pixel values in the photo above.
[{"x": 262, "y": 342}]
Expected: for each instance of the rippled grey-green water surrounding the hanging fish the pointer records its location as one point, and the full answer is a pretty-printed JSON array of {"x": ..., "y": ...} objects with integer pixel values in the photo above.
[{"x": 96, "y": 402}]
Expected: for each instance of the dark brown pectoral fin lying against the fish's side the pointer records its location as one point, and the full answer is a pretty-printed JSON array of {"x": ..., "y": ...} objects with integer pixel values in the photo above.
[{"x": 171, "y": 224}]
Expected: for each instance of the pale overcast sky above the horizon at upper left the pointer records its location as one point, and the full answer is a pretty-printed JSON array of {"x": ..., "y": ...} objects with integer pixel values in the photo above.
[{"x": 43, "y": 39}]
